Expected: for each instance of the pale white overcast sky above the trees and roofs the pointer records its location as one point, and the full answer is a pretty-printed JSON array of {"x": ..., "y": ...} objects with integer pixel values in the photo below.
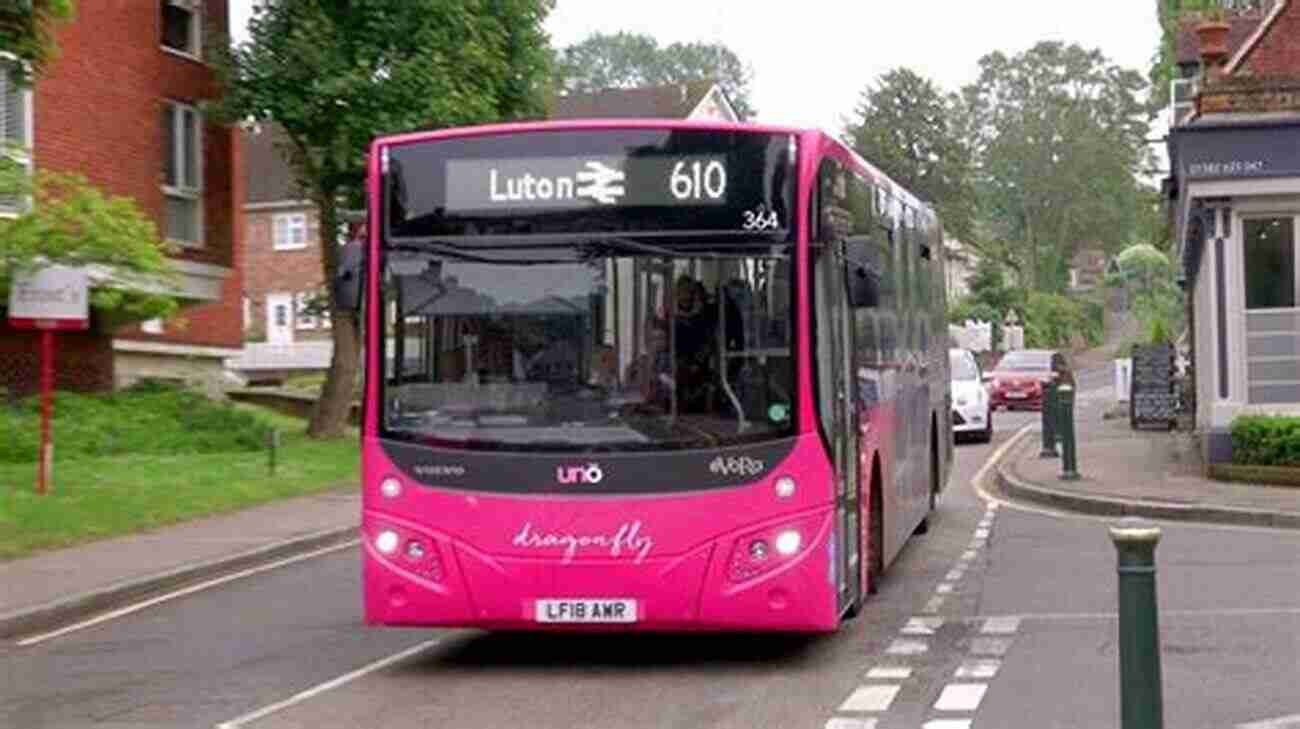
[{"x": 813, "y": 59}]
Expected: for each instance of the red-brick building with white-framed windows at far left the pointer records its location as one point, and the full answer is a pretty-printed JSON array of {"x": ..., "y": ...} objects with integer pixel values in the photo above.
[{"x": 120, "y": 106}]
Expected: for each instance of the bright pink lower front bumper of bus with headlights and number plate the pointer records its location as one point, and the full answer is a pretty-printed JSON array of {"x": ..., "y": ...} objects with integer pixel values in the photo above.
[{"x": 727, "y": 584}]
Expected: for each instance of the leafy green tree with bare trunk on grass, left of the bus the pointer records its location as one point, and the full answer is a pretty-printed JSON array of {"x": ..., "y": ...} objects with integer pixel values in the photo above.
[{"x": 337, "y": 73}]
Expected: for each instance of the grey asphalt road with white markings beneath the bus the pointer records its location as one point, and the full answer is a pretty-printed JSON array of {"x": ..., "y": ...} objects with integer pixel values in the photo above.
[{"x": 1020, "y": 604}]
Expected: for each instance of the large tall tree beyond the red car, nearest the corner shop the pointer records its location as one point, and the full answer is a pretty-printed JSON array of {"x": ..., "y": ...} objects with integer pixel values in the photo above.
[{"x": 1058, "y": 138}]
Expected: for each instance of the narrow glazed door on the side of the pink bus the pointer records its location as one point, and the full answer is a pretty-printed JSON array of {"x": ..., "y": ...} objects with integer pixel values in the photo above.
[{"x": 838, "y": 413}]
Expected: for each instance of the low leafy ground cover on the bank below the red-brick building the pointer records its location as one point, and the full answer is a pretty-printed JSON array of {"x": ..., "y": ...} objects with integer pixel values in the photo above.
[{"x": 150, "y": 419}]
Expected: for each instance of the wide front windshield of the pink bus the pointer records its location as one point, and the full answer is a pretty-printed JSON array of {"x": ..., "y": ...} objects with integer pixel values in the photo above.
[{"x": 600, "y": 345}]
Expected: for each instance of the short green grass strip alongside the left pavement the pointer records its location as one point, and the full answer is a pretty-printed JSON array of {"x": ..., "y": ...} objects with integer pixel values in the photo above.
[{"x": 94, "y": 498}]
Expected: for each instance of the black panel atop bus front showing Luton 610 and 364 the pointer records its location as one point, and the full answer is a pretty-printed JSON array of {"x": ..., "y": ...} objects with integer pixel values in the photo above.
[{"x": 610, "y": 181}]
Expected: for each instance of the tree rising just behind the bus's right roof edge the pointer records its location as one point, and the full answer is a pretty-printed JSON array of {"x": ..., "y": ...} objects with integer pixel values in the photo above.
[{"x": 907, "y": 128}]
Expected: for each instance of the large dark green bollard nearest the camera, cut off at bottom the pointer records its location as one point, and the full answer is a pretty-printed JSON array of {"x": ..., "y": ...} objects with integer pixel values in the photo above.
[{"x": 1141, "y": 704}]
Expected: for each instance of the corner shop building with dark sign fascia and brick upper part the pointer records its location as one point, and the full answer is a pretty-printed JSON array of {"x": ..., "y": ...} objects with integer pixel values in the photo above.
[{"x": 1236, "y": 194}]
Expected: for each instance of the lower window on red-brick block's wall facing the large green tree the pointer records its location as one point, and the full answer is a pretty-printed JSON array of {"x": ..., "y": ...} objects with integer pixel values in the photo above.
[{"x": 183, "y": 173}]
